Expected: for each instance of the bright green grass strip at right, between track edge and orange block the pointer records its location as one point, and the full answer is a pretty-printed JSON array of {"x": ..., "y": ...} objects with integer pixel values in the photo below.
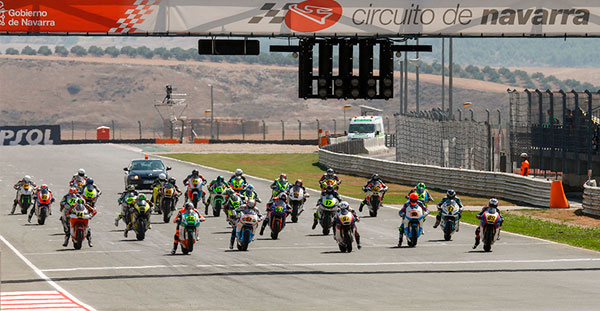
[{"x": 573, "y": 235}]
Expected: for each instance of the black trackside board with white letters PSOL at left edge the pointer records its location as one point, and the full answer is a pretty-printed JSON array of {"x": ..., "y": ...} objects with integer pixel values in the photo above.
[{"x": 30, "y": 135}]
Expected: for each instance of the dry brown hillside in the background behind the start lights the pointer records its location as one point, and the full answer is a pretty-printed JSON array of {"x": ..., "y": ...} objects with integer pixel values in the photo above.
[{"x": 96, "y": 90}]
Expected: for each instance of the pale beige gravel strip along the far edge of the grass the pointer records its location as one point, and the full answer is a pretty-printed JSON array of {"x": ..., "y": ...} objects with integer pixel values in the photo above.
[{"x": 227, "y": 148}]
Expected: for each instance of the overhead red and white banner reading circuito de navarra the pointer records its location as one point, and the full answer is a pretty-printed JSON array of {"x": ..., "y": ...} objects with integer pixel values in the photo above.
[{"x": 323, "y": 17}]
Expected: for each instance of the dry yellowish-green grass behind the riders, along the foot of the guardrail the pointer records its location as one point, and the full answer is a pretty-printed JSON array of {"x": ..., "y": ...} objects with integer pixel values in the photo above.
[{"x": 306, "y": 167}]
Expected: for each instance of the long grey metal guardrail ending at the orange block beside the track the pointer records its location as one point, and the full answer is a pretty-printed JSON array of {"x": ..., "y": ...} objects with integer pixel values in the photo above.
[{"x": 516, "y": 188}]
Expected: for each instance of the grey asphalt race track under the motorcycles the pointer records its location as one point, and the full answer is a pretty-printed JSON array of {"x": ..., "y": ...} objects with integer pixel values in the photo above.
[{"x": 302, "y": 270}]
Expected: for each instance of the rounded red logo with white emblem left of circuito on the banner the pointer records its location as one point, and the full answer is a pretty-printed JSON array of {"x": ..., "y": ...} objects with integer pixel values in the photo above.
[{"x": 313, "y": 15}]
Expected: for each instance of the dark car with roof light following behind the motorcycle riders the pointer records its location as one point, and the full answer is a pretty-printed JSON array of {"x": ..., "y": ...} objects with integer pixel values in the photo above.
[{"x": 142, "y": 173}]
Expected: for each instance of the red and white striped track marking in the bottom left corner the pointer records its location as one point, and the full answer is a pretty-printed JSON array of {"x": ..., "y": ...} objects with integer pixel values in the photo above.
[{"x": 38, "y": 300}]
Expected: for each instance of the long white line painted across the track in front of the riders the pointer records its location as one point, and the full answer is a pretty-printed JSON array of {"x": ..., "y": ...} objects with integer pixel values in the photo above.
[{"x": 339, "y": 264}]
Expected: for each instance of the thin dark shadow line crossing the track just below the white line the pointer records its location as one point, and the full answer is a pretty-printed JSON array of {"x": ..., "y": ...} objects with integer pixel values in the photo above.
[{"x": 288, "y": 273}]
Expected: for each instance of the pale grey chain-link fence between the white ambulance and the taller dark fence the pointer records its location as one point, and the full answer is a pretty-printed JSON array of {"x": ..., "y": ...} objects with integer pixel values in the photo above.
[{"x": 448, "y": 143}]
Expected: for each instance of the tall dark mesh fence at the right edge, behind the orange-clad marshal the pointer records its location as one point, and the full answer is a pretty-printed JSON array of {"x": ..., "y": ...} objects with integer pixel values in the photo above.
[{"x": 559, "y": 130}]
